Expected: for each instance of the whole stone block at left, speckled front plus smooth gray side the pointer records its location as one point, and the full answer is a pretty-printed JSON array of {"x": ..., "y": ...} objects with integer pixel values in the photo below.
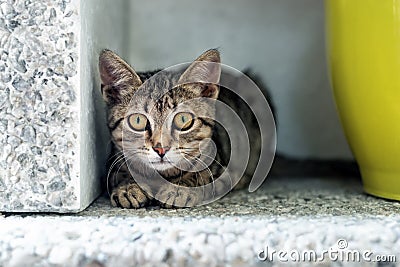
[{"x": 52, "y": 147}]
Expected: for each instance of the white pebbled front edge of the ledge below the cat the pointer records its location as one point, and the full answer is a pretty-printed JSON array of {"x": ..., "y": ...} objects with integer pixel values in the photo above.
[{"x": 212, "y": 241}]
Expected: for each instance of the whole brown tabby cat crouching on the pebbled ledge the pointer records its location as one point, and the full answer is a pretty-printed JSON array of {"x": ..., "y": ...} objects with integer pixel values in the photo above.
[{"x": 164, "y": 138}]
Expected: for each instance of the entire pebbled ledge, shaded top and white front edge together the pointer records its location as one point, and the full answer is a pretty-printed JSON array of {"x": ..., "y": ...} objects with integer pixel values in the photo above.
[{"x": 287, "y": 214}]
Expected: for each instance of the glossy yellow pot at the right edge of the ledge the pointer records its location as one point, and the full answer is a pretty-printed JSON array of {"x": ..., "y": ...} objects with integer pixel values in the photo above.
[{"x": 363, "y": 42}]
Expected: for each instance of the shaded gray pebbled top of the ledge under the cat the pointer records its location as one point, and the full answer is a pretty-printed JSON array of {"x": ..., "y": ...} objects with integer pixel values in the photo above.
[{"x": 279, "y": 196}]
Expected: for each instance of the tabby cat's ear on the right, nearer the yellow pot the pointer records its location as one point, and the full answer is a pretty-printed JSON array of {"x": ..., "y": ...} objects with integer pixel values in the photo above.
[{"x": 205, "y": 70}]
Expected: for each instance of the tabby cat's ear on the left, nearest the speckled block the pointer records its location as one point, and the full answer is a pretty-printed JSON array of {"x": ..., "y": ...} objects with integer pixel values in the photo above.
[{"x": 117, "y": 77}]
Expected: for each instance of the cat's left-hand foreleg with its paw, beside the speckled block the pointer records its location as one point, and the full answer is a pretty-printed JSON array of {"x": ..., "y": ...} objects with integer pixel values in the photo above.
[{"x": 126, "y": 193}]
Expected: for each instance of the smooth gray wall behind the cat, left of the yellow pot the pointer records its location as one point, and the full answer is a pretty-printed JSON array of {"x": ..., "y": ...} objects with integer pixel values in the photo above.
[{"x": 283, "y": 41}]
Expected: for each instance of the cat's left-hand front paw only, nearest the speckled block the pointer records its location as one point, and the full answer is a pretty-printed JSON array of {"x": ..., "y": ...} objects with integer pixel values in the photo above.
[{"x": 129, "y": 196}]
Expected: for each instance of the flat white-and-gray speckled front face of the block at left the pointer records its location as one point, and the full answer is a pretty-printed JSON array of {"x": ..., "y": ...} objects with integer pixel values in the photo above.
[{"x": 39, "y": 112}]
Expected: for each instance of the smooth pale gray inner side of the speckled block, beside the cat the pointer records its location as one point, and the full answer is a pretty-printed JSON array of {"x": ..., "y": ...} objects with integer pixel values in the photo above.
[{"x": 102, "y": 26}]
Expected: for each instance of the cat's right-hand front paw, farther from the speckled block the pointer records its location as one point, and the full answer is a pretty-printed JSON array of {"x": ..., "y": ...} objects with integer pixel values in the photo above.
[{"x": 171, "y": 197}]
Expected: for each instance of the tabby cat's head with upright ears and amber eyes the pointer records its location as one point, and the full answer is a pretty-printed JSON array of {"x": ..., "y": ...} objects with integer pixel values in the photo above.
[{"x": 162, "y": 121}]
